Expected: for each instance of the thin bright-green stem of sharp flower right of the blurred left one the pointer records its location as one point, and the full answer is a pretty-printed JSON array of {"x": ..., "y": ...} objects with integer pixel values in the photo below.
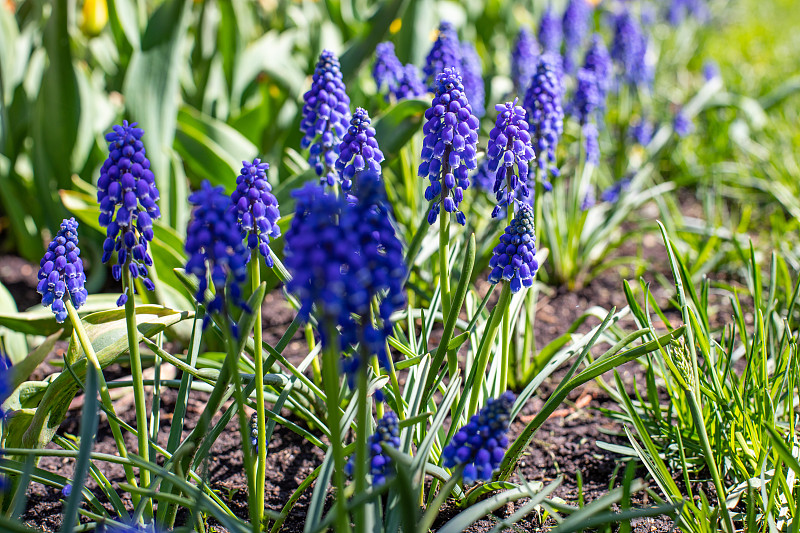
[{"x": 258, "y": 357}]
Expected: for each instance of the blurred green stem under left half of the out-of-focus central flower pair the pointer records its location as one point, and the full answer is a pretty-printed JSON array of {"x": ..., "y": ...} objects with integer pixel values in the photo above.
[{"x": 330, "y": 381}]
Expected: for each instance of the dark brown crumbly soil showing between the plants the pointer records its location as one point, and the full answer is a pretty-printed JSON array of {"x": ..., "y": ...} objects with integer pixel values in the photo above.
[{"x": 565, "y": 445}]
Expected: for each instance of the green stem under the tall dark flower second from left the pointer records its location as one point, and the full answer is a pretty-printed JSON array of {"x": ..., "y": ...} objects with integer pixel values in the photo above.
[{"x": 138, "y": 383}]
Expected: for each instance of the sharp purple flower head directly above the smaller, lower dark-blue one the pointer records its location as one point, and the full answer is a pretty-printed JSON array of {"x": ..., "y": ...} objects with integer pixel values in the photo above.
[{"x": 509, "y": 146}]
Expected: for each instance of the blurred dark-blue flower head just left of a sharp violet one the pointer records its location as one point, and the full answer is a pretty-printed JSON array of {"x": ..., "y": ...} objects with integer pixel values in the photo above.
[{"x": 214, "y": 246}]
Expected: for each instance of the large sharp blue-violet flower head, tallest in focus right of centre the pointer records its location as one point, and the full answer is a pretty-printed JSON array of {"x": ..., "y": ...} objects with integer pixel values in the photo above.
[{"x": 450, "y": 146}]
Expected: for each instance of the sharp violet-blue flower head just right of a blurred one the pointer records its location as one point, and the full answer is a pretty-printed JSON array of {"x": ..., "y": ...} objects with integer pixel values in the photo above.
[{"x": 256, "y": 208}]
